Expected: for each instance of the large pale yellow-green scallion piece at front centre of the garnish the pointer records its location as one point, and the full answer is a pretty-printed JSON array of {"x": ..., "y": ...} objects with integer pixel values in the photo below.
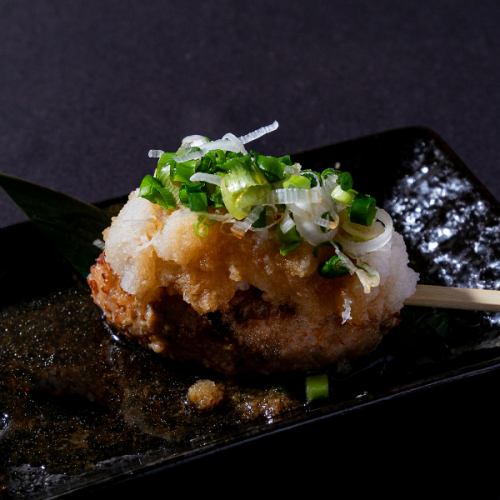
[{"x": 243, "y": 187}]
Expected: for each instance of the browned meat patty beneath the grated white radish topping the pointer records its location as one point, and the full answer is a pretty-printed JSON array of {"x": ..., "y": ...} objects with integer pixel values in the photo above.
[{"x": 250, "y": 335}]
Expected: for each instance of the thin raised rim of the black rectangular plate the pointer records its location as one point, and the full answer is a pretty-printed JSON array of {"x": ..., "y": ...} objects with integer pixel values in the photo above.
[{"x": 320, "y": 414}]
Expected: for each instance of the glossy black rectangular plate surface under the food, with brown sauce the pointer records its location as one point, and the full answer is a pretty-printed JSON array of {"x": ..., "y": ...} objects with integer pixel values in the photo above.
[{"x": 79, "y": 407}]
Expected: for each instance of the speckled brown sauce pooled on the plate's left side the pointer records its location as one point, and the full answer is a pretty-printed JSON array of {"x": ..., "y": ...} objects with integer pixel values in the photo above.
[{"x": 73, "y": 395}]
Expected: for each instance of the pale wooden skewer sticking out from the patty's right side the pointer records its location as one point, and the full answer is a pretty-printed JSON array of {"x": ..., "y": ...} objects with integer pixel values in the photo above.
[{"x": 455, "y": 298}]
